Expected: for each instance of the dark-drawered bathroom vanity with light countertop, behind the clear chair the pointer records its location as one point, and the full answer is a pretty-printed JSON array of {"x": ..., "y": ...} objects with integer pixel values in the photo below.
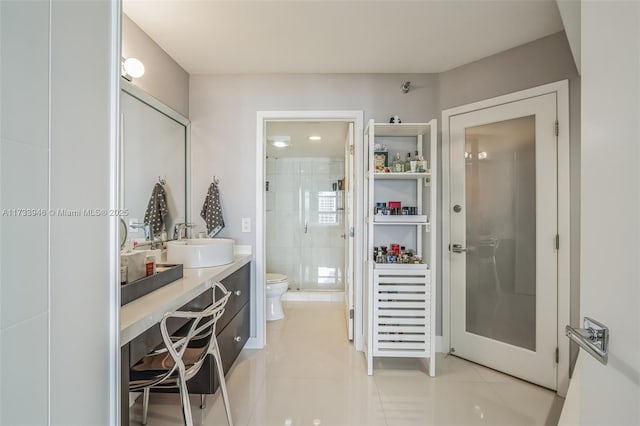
[{"x": 139, "y": 321}]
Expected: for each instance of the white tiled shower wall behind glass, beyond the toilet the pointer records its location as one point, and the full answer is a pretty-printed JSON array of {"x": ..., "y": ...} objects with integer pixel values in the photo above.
[{"x": 300, "y": 191}]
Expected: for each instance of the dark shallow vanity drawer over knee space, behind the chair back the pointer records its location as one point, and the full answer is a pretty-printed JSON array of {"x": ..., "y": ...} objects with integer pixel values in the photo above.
[{"x": 150, "y": 339}]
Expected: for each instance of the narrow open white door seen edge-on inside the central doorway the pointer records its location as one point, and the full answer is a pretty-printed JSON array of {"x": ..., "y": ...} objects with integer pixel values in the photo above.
[{"x": 349, "y": 230}]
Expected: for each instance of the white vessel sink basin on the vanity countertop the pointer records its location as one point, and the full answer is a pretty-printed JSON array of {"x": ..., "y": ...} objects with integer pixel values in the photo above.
[{"x": 200, "y": 252}]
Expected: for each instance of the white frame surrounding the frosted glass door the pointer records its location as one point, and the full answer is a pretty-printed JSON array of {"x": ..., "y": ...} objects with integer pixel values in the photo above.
[{"x": 561, "y": 88}]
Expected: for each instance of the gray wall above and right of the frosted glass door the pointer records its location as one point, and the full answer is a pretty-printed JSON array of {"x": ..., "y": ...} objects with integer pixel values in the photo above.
[{"x": 543, "y": 61}]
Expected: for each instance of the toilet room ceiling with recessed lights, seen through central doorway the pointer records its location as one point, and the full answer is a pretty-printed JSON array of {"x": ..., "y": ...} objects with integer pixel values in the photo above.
[{"x": 332, "y": 145}]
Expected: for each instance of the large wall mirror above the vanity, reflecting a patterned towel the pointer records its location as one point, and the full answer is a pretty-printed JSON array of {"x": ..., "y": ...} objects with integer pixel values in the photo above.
[{"x": 154, "y": 150}]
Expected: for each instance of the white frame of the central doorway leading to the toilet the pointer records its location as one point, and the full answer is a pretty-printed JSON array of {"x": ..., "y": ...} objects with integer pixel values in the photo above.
[{"x": 357, "y": 118}]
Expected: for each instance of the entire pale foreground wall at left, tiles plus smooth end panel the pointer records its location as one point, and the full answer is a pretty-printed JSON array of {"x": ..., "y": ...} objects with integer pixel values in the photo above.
[{"x": 58, "y": 311}]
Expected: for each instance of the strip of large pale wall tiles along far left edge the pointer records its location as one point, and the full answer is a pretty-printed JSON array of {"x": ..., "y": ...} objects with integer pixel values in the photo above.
[{"x": 24, "y": 183}]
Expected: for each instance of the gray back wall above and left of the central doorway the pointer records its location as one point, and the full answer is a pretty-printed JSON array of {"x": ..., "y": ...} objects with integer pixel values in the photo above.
[{"x": 223, "y": 125}]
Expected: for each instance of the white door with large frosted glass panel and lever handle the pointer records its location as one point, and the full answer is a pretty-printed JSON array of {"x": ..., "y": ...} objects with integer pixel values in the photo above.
[{"x": 503, "y": 257}]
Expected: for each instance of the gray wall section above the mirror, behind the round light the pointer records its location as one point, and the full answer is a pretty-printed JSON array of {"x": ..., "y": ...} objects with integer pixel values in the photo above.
[{"x": 163, "y": 79}]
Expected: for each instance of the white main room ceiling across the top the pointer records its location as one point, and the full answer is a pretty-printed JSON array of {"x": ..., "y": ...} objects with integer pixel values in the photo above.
[{"x": 339, "y": 36}]
